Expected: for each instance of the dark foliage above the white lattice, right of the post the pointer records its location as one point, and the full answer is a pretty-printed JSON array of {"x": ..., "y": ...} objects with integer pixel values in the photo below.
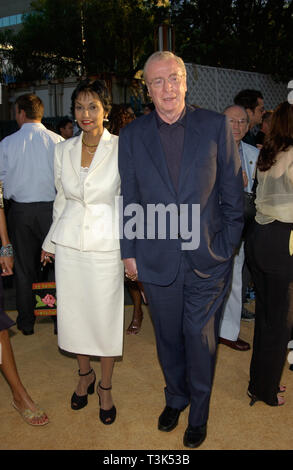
[{"x": 252, "y": 35}]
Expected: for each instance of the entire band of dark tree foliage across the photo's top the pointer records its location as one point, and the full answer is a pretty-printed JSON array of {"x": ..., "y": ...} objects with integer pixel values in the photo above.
[{"x": 66, "y": 37}]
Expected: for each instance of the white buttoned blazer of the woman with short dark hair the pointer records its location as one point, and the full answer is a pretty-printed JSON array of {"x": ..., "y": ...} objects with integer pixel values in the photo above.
[{"x": 86, "y": 217}]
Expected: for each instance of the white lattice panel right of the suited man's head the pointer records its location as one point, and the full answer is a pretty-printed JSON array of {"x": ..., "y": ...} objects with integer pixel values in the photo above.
[{"x": 214, "y": 88}]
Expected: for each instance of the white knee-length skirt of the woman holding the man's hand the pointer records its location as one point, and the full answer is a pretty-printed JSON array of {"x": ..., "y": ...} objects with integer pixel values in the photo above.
[{"x": 90, "y": 301}]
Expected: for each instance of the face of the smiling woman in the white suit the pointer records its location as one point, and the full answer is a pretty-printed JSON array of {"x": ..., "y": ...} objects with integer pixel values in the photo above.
[{"x": 89, "y": 112}]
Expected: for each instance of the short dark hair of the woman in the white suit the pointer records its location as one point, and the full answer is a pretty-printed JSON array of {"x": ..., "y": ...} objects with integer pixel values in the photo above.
[{"x": 89, "y": 86}]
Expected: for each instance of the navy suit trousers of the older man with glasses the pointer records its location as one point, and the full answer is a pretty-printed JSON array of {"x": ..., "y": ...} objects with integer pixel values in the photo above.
[{"x": 186, "y": 317}]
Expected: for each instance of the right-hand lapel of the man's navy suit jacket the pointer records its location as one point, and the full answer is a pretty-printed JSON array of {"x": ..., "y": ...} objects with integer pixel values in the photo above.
[{"x": 191, "y": 142}]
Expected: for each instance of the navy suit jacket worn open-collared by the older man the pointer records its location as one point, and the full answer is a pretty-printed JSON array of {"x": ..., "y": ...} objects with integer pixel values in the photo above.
[{"x": 210, "y": 175}]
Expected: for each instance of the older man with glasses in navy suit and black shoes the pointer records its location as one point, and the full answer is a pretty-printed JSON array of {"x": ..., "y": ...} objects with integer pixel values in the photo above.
[{"x": 182, "y": 192}]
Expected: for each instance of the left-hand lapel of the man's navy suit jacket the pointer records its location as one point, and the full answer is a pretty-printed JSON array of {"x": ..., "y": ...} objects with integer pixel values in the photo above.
[{"x": 152, "y": 142}]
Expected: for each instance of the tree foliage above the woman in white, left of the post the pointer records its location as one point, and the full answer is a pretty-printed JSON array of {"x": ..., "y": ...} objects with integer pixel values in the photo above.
[{"x": 72, "y": 37}]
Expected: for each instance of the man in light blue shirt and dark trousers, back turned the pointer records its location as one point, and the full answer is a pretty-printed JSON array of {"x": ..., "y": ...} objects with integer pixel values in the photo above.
[{"x": 27, "y": 172}]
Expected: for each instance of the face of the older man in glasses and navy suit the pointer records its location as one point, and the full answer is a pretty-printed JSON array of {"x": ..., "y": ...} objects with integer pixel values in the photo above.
[{"x": 167, "y": 87}]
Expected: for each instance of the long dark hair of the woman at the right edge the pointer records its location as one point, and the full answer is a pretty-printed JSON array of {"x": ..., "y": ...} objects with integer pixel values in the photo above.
[{"x": 279, "y": 138}]
